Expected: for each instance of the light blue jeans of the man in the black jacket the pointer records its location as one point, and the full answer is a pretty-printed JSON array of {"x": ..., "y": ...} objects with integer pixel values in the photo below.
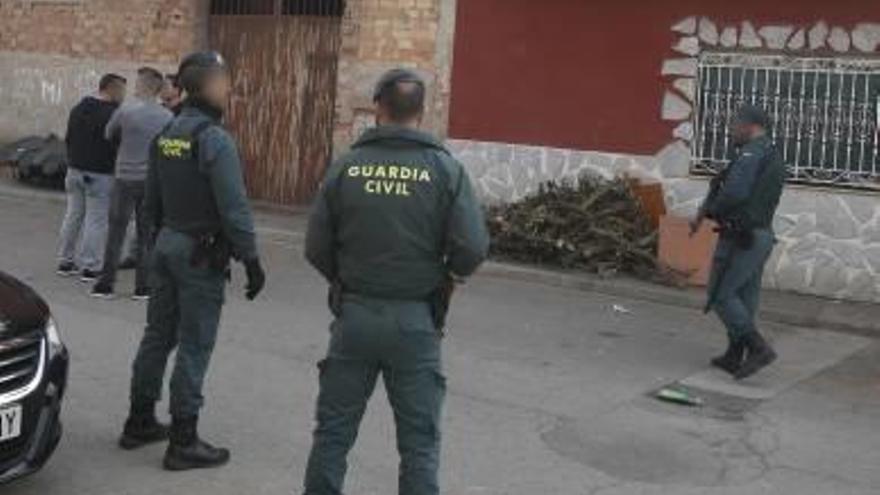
[{"x": 84, "y": 230}]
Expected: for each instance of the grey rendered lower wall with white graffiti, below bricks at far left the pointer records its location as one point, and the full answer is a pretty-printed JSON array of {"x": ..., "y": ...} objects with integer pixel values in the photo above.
[{"x": 37, "y": 91}]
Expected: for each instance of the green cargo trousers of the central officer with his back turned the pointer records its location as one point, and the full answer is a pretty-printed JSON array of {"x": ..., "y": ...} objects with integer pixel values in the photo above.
[{"x": 396, "y": 339}]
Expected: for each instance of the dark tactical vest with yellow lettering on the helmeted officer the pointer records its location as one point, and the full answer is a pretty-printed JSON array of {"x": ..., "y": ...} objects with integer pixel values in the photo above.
[{"x": 188, "y": 203}]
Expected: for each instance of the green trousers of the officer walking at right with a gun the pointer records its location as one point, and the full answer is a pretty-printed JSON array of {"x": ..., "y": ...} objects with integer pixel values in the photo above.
[{"x": 739, "y": 286}]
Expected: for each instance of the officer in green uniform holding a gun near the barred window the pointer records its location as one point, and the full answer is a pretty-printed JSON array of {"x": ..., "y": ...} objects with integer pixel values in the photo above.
[{"x": 742, "y": 201}]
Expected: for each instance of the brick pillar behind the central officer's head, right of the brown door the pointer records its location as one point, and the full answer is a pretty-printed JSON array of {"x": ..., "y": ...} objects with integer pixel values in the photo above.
[{"x": 382, "y": 34}]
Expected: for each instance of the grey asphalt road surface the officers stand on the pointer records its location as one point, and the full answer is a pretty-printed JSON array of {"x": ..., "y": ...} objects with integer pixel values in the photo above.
[{"x": 549, "y": 392}]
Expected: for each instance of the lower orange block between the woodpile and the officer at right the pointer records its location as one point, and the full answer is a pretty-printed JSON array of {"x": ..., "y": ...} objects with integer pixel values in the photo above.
[{"x": 689, "y": 257}]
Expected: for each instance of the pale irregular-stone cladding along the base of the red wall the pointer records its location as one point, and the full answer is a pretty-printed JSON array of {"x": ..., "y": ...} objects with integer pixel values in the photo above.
[{"x": 829, "y": 241}]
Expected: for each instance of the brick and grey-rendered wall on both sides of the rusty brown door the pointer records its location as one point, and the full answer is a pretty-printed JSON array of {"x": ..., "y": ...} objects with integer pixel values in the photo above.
[{"x": 51, "y": 51}]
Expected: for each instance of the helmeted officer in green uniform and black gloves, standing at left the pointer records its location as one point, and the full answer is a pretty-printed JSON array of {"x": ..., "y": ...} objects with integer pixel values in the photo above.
[{"x": 196, "y": 200}]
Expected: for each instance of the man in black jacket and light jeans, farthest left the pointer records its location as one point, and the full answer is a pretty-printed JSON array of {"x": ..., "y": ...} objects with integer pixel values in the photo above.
[{"x": 89, "y": 180}]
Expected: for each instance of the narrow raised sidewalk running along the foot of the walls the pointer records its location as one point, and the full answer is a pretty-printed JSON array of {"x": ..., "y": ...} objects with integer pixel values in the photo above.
[{"x": 778, "y": 307}]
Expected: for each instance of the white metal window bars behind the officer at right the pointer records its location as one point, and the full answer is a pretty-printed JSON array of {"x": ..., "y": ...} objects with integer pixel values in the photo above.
[{"x": 825, "y": 113}]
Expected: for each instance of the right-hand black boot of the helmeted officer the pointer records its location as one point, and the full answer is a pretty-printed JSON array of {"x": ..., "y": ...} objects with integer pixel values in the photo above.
[{"x": 187, "y": 451}]
